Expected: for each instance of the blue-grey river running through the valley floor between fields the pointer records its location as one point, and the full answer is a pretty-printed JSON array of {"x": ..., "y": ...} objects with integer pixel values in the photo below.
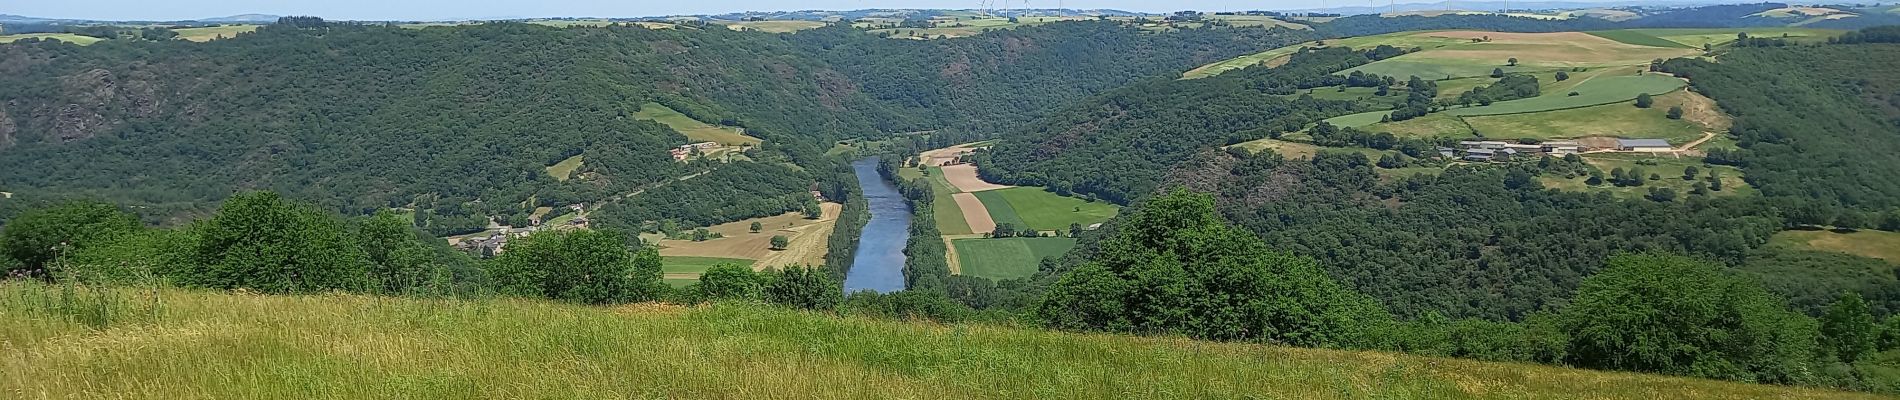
[{"x": 881, "y": 249}]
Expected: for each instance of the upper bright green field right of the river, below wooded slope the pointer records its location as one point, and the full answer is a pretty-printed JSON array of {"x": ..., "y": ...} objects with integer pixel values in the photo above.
[{"x": 1038, "y": 209}]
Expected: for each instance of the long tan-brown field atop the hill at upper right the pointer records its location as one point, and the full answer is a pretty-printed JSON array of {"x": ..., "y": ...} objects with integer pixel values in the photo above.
[{"x": 1548, "y": 50}]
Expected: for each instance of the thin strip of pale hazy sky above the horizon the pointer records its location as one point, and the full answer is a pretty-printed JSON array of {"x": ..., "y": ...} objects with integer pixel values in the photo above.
[{"x": 164, "y": 10}]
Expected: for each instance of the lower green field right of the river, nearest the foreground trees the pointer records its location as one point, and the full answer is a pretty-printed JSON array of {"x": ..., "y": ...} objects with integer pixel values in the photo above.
[{"x": 1008, "y": 259}]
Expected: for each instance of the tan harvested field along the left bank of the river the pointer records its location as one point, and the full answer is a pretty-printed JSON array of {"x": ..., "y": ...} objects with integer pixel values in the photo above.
[{"x": 808, "y": 240}]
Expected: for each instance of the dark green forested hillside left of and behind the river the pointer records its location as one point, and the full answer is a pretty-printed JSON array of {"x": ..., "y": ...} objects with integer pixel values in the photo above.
[{"x": 459, "y": 122}]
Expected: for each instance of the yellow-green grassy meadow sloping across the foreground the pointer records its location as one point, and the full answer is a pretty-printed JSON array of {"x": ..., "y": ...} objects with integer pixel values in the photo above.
[{"x": 176, "y": 344}]
